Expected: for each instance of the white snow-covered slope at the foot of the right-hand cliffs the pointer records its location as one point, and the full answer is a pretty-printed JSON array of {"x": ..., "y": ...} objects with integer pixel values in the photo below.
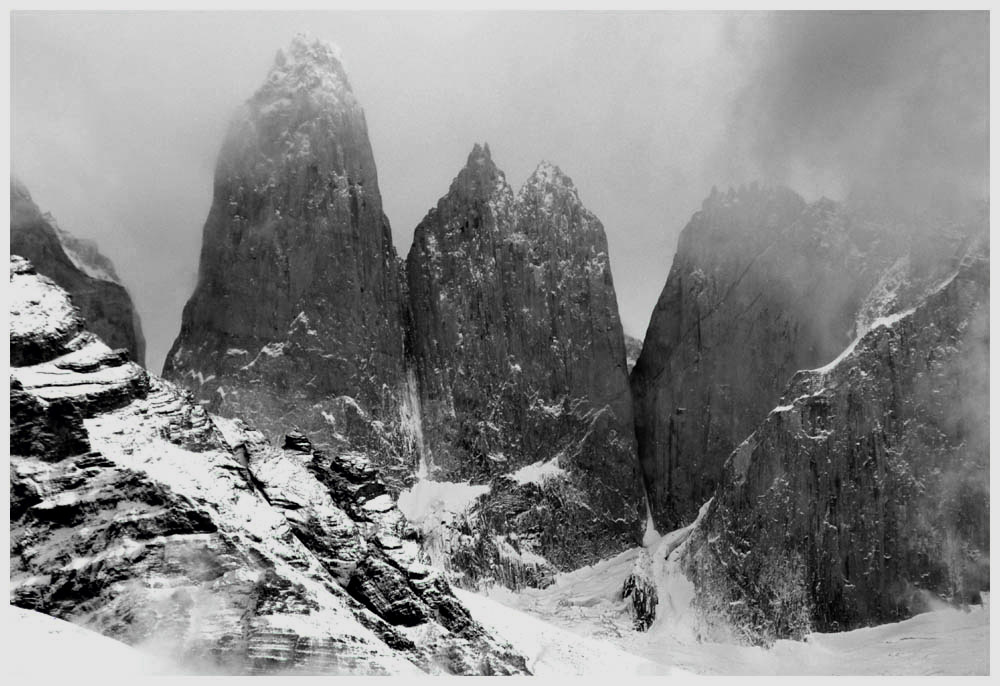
[{"x": 581, "y": 626}]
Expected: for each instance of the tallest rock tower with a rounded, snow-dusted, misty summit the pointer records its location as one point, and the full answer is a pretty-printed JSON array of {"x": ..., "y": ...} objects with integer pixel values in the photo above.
[{"x": 298, "y": 299}]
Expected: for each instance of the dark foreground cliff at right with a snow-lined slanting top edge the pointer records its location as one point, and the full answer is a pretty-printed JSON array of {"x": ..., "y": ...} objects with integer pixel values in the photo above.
[{"x": 864, "y": 496}]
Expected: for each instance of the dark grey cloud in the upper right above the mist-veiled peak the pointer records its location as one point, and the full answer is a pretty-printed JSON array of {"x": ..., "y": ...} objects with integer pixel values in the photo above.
[{"x": 887, "y": 109}]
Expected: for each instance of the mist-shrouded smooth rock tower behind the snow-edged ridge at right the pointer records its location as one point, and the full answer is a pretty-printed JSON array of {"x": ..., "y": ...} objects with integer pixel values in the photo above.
[{"x": 762, "y": 285}]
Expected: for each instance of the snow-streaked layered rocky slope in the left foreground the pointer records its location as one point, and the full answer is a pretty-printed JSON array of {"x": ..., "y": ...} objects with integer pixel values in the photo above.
[{"x": 138, "y": 515}]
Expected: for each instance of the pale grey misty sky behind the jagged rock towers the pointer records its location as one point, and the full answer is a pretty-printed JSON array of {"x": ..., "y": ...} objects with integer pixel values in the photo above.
[{"x": 117, "y": 118}]
